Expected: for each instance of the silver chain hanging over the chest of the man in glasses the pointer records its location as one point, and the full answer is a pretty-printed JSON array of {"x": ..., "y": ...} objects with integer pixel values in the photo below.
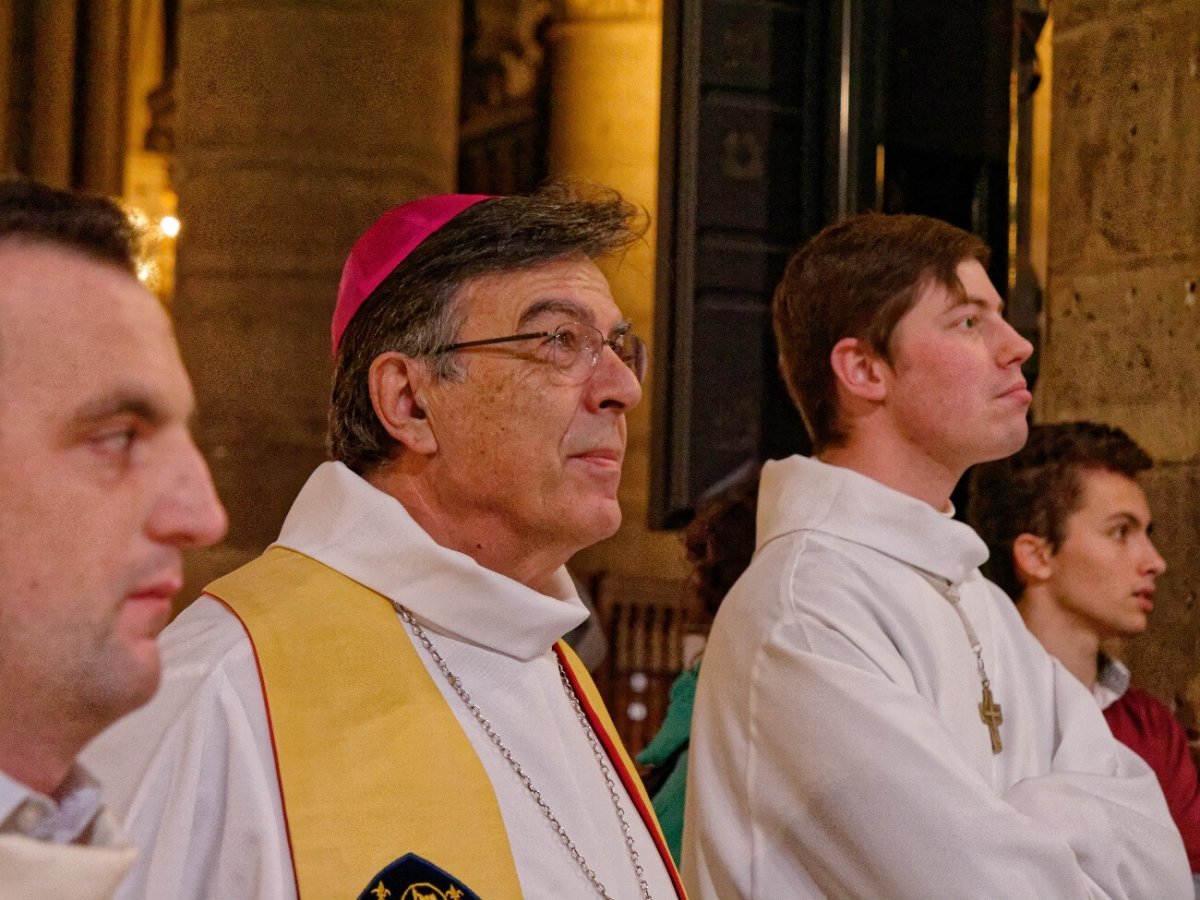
[{"x": 478, "y": 715}]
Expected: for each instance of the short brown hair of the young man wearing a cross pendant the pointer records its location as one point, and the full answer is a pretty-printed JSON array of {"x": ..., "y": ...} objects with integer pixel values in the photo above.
[{"x": 857, "y": 279}]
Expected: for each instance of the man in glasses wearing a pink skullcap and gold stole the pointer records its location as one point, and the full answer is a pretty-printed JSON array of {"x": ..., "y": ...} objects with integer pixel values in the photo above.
[{"x": 380, "y": 706}]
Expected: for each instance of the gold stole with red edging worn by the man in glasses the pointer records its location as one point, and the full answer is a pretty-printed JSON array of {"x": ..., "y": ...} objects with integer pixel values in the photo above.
[{"x": 353, "y": 715}]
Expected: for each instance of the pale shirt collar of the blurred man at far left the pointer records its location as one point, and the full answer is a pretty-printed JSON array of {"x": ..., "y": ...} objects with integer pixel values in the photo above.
[{"x": 35, "y": 815}]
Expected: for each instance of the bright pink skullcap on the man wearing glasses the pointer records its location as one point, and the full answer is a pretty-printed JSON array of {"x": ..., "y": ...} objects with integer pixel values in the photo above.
[{"x": 387, "y": 244}]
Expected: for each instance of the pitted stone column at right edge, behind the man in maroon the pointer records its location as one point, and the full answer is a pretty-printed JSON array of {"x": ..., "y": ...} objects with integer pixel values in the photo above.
[{"x": 1123, "y": 323}]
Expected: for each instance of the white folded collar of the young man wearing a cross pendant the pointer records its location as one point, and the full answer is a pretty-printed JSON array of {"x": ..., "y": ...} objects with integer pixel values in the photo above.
[{"x": 802, "y": 494}]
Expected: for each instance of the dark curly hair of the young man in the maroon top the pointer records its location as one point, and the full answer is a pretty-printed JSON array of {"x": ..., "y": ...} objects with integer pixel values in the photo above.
[{"x": 1039, "y": 489}]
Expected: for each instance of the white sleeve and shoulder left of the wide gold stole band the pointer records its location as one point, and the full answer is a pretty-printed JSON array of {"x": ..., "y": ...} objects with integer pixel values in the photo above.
[{"x": 194, "y": 773}]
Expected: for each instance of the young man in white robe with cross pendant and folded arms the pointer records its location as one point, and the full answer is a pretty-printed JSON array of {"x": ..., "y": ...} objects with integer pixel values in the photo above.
[{"x": 873, "y": 719}]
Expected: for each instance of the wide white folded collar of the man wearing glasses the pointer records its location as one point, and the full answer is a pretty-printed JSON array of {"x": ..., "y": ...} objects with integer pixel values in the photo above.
[{"x": 368, "y": 536}]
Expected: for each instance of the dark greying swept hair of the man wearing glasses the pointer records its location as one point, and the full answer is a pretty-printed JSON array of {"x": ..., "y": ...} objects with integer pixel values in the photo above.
[{"x": 415, "y": 309}]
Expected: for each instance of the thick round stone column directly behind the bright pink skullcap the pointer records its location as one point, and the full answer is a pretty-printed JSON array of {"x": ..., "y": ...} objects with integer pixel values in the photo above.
[{"x": 299, "y": 123}]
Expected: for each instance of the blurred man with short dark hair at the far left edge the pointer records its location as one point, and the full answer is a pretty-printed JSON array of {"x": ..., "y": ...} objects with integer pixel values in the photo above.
[{"x": 101, "y": 490}]
